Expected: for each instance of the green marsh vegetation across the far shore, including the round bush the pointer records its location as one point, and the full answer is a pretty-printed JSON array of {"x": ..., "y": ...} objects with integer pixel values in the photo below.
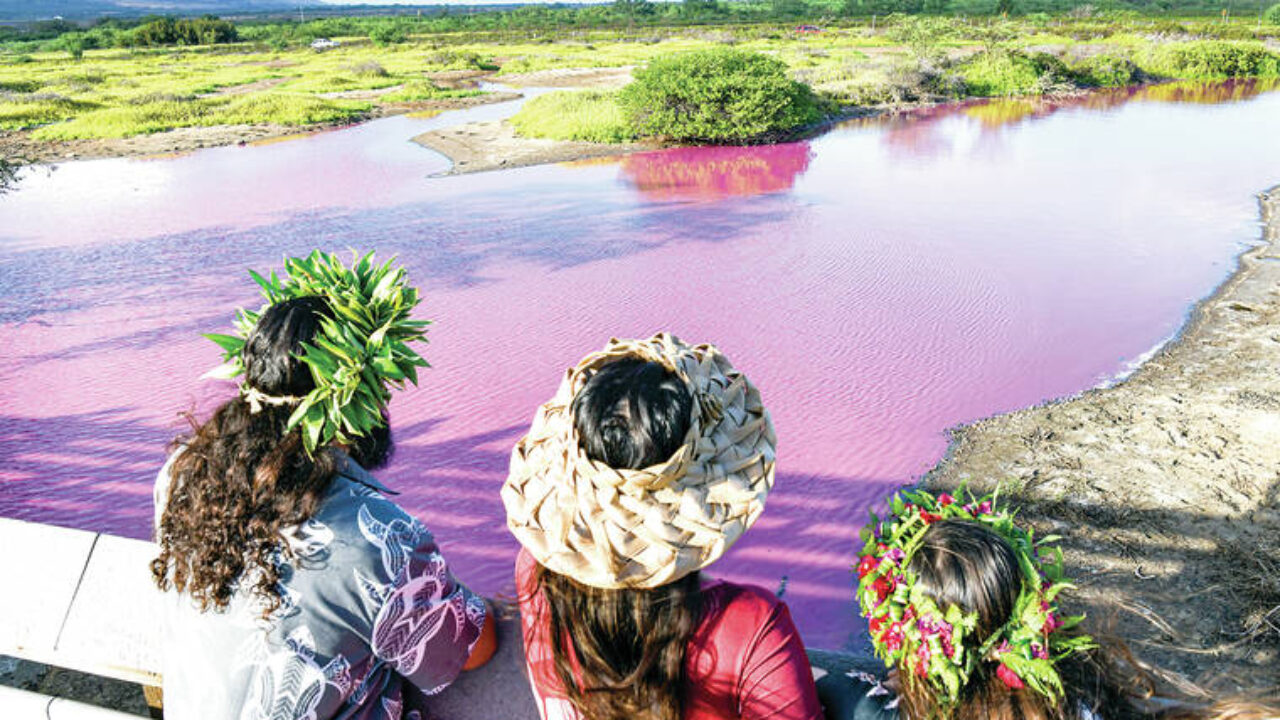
[{"x": 156, "y": 74}]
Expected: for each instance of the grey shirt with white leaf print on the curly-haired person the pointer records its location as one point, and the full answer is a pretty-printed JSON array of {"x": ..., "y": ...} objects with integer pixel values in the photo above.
[{"x": 369, "y": 604}]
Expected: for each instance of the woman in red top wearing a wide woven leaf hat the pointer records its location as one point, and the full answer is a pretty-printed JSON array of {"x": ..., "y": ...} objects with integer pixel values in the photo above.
[{"x": 651, "y": 461}]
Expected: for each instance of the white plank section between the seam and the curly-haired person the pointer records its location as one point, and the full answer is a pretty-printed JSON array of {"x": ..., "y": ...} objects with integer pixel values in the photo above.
[{"x": 113, "y": 628}]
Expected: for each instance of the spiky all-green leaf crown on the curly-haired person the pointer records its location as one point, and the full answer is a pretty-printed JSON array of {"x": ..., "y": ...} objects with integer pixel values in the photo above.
[{"x": 355, "y": 356}]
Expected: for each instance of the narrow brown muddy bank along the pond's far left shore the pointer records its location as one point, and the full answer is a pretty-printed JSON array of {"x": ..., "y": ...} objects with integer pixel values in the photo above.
[{"x": 22, "y": 147}]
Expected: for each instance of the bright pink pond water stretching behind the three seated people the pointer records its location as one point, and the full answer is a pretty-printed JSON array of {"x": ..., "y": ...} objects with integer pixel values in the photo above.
[{"x": 881, "y": 284}]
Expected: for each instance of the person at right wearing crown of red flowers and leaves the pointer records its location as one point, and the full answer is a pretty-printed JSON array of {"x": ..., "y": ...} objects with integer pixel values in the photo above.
[{"x": 962, "y": 605}]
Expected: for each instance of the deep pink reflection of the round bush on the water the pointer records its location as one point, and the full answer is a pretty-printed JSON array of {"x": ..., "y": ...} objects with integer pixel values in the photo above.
[{"x": 714, "y": 174}]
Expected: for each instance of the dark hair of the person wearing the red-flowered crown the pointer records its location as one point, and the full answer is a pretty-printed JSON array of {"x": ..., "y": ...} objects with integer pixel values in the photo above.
[{"x": 968, "y": 566}]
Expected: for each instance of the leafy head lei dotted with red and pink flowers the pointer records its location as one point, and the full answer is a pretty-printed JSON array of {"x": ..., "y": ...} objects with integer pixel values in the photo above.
[{"x": 938, "y": 645}]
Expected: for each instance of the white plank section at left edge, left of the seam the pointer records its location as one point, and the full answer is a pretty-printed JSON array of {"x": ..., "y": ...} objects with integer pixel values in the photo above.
[{"x": 42, "y": 568}]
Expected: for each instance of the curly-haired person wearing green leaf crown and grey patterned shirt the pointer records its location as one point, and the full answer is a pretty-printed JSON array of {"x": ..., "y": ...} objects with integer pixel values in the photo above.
[{"x": 296, "y": 590}]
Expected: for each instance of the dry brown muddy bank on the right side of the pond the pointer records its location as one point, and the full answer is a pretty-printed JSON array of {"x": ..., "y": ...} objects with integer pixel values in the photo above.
[{"x": 1167, "y": 487}]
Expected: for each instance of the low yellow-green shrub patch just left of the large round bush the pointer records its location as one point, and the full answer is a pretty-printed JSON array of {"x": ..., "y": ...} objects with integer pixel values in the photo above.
[{"x": 588, "y": 116}]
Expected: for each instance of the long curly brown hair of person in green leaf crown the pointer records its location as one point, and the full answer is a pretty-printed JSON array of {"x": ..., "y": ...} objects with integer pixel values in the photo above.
[{"x": 240, "y": 477}]
